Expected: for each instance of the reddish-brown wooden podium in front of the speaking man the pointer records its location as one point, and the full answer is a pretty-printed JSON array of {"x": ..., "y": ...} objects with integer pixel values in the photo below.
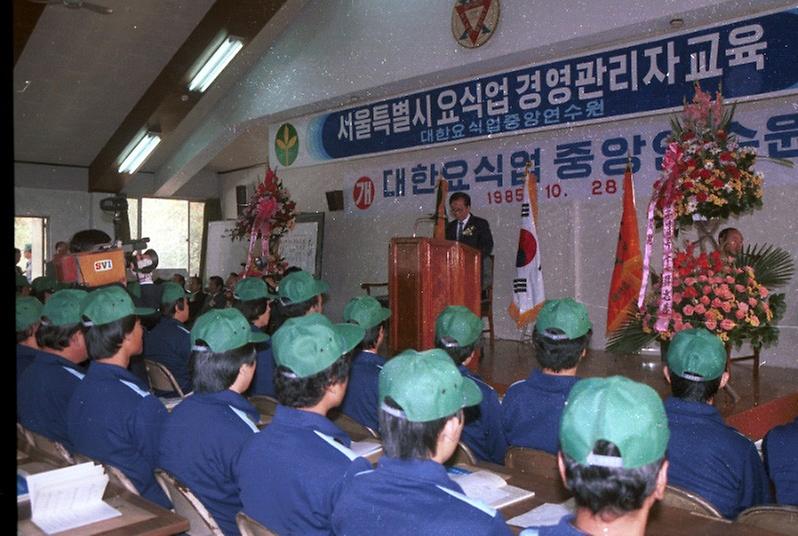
[{"x": 424, "y": 276}]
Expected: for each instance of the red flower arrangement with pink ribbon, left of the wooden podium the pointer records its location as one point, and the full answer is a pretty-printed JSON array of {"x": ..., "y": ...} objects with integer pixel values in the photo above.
[{"x": 268, "y": 216}]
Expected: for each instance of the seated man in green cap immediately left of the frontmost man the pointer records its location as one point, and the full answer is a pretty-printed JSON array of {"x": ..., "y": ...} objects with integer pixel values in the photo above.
[{"x": 422, "y": 395}]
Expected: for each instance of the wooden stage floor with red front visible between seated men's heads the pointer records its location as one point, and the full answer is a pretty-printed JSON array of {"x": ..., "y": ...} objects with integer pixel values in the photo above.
[{"x": 764, "y": 402}]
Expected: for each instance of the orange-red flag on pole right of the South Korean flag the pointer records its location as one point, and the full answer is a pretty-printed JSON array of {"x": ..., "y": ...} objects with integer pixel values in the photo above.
[{"x": 628, "y": 272}]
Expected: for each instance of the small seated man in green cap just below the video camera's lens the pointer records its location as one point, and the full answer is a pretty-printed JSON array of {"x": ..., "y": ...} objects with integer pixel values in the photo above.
[{"x": 169, "y": 342}]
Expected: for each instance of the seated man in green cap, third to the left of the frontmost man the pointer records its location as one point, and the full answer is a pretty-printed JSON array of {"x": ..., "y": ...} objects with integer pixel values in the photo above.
[{"x": 202, "y": 437}]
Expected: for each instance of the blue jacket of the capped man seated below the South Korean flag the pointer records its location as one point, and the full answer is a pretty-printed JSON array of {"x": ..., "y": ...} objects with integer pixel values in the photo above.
[{"x": 532, "y": 410}]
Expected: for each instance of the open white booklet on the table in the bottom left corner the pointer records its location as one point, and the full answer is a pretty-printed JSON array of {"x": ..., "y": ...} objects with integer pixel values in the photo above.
[{"x": 69, "y": 497}]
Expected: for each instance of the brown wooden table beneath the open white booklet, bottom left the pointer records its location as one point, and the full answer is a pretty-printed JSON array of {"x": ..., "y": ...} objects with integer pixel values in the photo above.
[{"x": 140, "y": 517}]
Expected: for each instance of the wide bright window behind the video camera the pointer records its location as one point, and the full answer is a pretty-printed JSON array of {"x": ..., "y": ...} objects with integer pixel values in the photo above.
[{"x": 174, "y": 227}]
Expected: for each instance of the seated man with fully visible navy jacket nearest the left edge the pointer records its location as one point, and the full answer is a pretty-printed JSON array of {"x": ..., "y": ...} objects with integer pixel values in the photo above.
[{"x": 48, "y": 383}]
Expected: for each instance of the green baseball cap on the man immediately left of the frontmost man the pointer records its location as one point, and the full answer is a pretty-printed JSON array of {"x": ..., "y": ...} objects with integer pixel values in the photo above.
[{"x": 426, "y": 385}]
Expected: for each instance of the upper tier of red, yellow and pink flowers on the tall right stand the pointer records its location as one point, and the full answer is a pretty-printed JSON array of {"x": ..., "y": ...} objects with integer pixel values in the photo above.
[{"x": 713, "y": 174}]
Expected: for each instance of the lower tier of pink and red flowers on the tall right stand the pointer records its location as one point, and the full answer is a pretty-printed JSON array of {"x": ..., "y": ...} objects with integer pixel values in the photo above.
[{"x": 726, "y": 299}]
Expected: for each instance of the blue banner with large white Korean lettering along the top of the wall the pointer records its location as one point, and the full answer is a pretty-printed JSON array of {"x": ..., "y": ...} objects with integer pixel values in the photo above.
[{"x": 751, "y": 57}]
